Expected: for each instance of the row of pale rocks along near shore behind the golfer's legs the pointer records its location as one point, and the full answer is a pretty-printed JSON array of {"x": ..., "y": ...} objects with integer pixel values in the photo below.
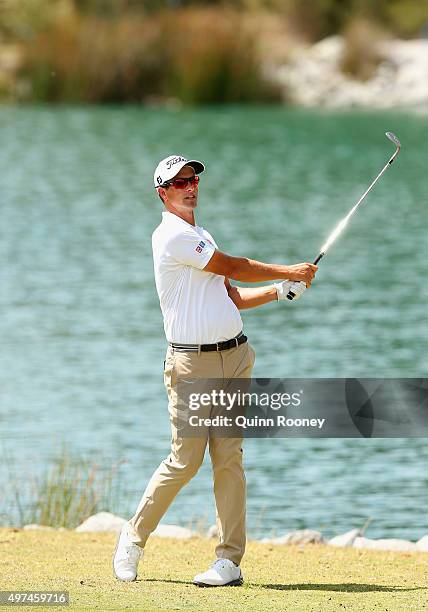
[{"x": 105, "y": 521}]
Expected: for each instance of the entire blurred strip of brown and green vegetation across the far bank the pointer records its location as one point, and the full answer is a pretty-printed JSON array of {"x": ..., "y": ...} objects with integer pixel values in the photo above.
[{"x": 188, "y": 53}]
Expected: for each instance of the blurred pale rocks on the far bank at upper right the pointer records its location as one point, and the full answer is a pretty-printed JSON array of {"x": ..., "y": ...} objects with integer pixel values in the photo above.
[{"x": 313, "y": 77}]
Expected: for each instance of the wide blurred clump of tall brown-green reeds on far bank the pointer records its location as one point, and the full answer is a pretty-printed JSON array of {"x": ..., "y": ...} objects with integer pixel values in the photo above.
[{"x": 192, "y": 55}]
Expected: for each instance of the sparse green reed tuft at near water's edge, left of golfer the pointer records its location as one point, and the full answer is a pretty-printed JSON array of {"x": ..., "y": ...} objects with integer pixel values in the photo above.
[{"x": 66, "y": 493}]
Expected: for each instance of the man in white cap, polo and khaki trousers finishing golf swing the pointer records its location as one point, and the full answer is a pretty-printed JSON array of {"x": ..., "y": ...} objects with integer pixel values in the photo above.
[{"x": 205, "y": 337}]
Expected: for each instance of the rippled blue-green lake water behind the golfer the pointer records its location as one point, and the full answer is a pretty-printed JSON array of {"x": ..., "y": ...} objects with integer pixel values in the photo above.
[{"x": 82, "y": 343}]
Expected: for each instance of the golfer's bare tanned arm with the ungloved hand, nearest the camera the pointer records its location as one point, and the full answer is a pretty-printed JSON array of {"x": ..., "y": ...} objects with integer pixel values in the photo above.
[{"x": 252, "y": 271}]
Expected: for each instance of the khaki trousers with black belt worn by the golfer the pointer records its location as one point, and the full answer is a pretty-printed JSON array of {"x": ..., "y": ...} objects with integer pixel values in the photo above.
[{"x": 187, "y": 454}]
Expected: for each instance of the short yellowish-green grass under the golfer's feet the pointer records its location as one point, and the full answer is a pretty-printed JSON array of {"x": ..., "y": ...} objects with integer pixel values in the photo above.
[{"x": 315, "y": 577}]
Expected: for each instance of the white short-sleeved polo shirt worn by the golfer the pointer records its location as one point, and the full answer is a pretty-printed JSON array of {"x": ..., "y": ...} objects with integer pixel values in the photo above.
[{"x": 195, "y": 304}]
